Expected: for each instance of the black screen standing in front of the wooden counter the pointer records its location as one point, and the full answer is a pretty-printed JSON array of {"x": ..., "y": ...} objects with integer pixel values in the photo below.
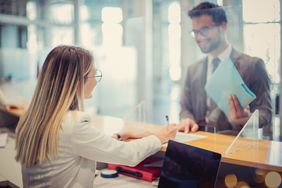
[{"x": 189, "y": 166}]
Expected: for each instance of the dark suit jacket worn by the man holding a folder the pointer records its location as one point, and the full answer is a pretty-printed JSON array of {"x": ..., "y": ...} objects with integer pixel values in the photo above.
[{"x": 194, "y": 98}]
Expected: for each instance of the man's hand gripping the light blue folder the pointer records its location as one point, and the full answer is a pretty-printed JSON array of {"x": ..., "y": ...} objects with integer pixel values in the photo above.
[{"x": 236, "y": 114}]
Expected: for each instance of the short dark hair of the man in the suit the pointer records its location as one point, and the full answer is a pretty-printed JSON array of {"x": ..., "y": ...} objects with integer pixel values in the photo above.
[{"x": 206, "y": 8}]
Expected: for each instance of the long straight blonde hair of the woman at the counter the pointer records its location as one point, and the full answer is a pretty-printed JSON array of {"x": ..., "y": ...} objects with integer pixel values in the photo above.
[{"x": 59, "y": 89}]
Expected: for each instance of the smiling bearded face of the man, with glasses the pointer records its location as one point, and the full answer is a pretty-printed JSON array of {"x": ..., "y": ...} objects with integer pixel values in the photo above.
[{"x": 207, "y": 35}]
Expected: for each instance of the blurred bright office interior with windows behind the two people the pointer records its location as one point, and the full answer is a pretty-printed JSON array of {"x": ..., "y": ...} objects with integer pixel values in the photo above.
[{"x": 142, "y": 47}]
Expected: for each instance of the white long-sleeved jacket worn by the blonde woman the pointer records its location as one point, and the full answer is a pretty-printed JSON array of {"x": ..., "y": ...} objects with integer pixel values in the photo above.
[{"x": 81, "y": 144}]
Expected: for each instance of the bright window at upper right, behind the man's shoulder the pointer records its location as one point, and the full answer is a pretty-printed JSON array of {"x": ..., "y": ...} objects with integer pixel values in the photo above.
[{"x": 262, "y": 33}]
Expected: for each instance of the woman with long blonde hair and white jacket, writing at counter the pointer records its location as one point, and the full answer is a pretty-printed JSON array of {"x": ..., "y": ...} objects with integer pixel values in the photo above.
[{"x": 56, "y": 143}]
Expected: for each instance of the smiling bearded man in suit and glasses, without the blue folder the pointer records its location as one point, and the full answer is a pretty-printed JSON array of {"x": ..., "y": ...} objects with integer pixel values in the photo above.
[{"x": 209, "y": 25}]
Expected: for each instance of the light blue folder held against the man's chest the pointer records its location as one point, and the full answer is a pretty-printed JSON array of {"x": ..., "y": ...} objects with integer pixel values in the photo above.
[{"x": 226, "y": 81}]
